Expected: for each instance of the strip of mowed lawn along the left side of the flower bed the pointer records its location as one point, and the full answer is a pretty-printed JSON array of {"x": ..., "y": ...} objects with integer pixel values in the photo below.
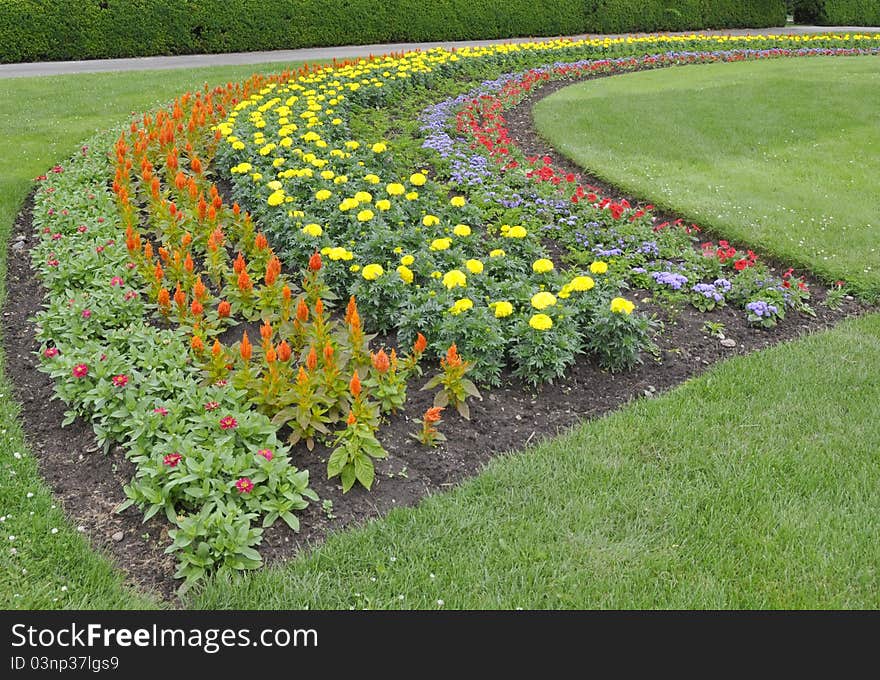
[{"x": 42, "y": 122}]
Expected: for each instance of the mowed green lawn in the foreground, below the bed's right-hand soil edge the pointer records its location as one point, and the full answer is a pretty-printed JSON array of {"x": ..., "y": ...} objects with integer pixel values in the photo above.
[{"x": 754, "y": 486}]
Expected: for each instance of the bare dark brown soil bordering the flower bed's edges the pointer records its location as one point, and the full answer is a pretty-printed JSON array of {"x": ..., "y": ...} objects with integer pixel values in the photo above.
[{"x": 89, "y": 483}]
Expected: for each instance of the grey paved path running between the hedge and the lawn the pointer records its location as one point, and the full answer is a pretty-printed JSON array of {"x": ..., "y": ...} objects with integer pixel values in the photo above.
[{"x": 319, "y": 54}]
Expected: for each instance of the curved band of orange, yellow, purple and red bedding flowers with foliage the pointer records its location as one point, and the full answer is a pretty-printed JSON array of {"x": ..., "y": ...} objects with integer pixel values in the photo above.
[{"x": 474, "y": 248}]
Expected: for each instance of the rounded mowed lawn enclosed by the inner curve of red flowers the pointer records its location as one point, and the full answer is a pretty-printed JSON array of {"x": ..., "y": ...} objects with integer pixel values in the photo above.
[{"x": 782, "y": 155}]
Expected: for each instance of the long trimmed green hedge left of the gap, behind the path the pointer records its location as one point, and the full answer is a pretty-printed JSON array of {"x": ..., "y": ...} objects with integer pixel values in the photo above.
[{"x": 37, "y": 30}]
